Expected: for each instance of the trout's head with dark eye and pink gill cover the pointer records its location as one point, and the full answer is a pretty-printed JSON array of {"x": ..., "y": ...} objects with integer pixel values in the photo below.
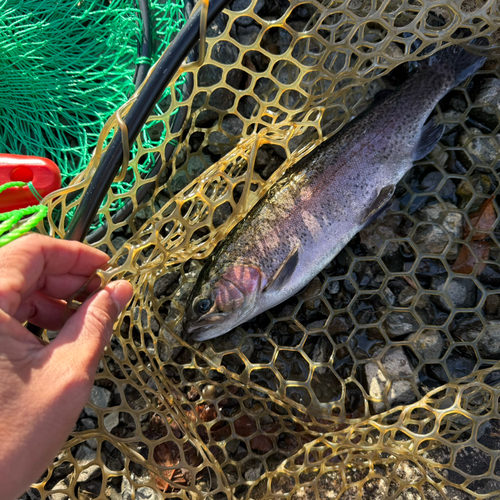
[{"x": 219, "y": 303}]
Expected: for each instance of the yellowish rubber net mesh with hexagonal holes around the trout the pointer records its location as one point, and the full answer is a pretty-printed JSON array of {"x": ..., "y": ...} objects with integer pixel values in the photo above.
[{"x": 380, "y": 379}]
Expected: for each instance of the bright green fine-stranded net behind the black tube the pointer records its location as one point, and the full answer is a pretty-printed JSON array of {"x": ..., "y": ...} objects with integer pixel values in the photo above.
[{"x": 66, "y": 66}]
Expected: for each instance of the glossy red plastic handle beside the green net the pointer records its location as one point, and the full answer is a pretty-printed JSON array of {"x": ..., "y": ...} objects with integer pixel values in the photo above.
[{"x": 43, "y": 174}]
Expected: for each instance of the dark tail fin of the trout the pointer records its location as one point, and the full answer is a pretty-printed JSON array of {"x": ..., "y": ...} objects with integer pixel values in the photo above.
[{"x": 461, "y": 62}]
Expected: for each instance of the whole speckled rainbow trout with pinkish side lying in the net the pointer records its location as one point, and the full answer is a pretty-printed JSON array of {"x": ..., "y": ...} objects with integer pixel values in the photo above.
[{"x": 322, "y": 201}]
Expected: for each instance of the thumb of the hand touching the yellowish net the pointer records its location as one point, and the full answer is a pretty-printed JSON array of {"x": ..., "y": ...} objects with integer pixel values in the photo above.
[{"x": 81, "y": 341}]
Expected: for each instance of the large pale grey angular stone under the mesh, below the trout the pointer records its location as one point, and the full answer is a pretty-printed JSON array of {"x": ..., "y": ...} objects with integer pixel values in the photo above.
[{"x": 396, "y": 364}]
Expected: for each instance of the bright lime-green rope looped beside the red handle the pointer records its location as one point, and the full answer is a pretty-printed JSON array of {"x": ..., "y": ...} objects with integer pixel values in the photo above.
[{"x": 10, "y": 220}]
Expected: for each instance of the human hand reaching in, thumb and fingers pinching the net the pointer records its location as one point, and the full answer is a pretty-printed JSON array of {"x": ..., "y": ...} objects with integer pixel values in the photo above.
[{"x": 44, "y": 388}]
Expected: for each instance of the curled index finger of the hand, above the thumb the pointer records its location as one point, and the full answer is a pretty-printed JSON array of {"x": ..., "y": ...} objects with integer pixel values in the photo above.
[{"x": 41, "y": 263}]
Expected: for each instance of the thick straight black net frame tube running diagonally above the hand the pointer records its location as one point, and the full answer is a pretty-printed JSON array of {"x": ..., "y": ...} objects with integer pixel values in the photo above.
[{"x": 140, "y": 110}]
